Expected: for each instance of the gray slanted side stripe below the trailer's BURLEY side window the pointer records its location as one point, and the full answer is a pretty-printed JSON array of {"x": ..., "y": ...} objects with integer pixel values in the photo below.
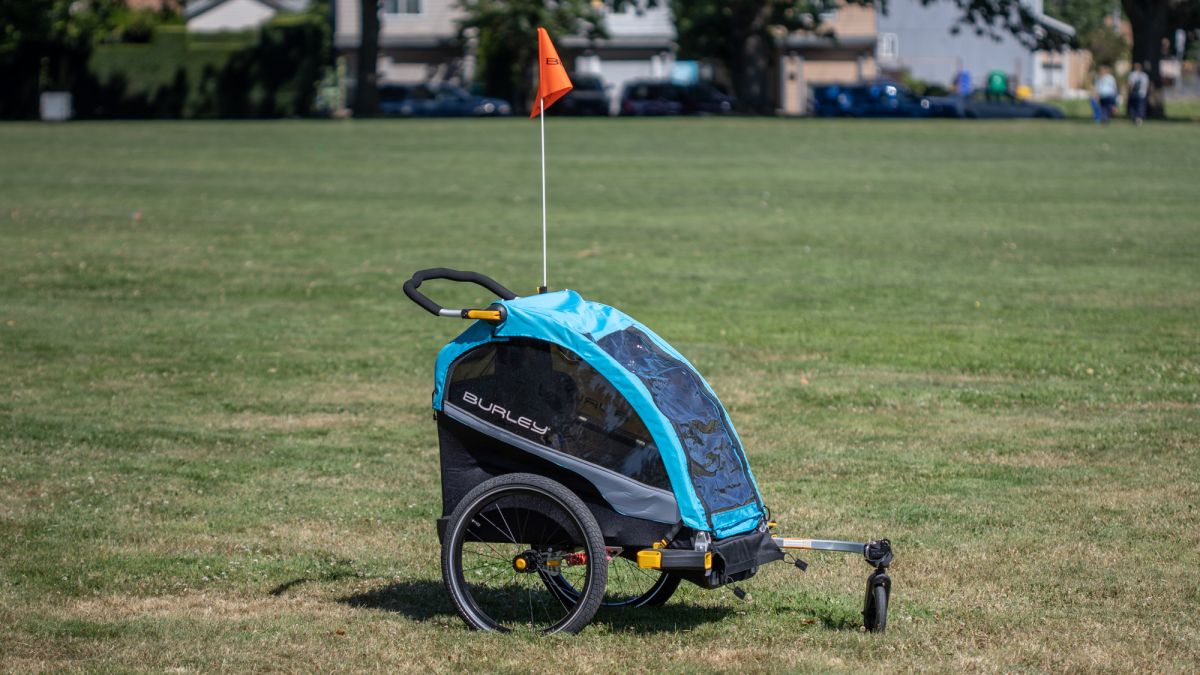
[{"x": 627, "y": 497}]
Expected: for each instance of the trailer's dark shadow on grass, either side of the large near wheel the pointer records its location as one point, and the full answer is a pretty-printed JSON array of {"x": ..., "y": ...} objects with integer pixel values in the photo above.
[{"x": 424, "y": 601}]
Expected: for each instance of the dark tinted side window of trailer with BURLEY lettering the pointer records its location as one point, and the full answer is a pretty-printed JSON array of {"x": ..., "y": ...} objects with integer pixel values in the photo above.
[{"x": 549, "y": 396}]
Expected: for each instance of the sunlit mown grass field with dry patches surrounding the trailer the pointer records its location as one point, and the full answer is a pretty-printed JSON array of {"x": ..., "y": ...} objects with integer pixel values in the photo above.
[{"x": 981, "y": 341}]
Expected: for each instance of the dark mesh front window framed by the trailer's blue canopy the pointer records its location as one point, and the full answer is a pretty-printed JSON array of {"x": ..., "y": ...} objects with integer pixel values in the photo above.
[{"x": 715, "y": 457}]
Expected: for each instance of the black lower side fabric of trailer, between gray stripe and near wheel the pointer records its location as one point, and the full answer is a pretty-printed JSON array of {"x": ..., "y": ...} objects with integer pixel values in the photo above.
[{"x": 469, "y": 458}]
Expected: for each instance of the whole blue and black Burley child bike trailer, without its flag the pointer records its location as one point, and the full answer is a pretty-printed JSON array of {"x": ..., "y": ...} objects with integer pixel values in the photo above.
[{"x": 586, "y": 463}]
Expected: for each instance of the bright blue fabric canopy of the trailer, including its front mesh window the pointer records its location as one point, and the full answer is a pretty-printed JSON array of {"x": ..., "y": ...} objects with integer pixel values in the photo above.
[{"x": 701, "y": 452}]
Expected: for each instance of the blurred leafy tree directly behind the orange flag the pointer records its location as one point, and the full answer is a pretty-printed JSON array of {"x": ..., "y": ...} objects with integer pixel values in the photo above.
[{"x": 507, "y": 32}]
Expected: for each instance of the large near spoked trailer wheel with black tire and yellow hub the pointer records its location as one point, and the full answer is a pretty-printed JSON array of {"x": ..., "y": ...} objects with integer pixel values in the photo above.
[{"x": 521, "y": 516}]
